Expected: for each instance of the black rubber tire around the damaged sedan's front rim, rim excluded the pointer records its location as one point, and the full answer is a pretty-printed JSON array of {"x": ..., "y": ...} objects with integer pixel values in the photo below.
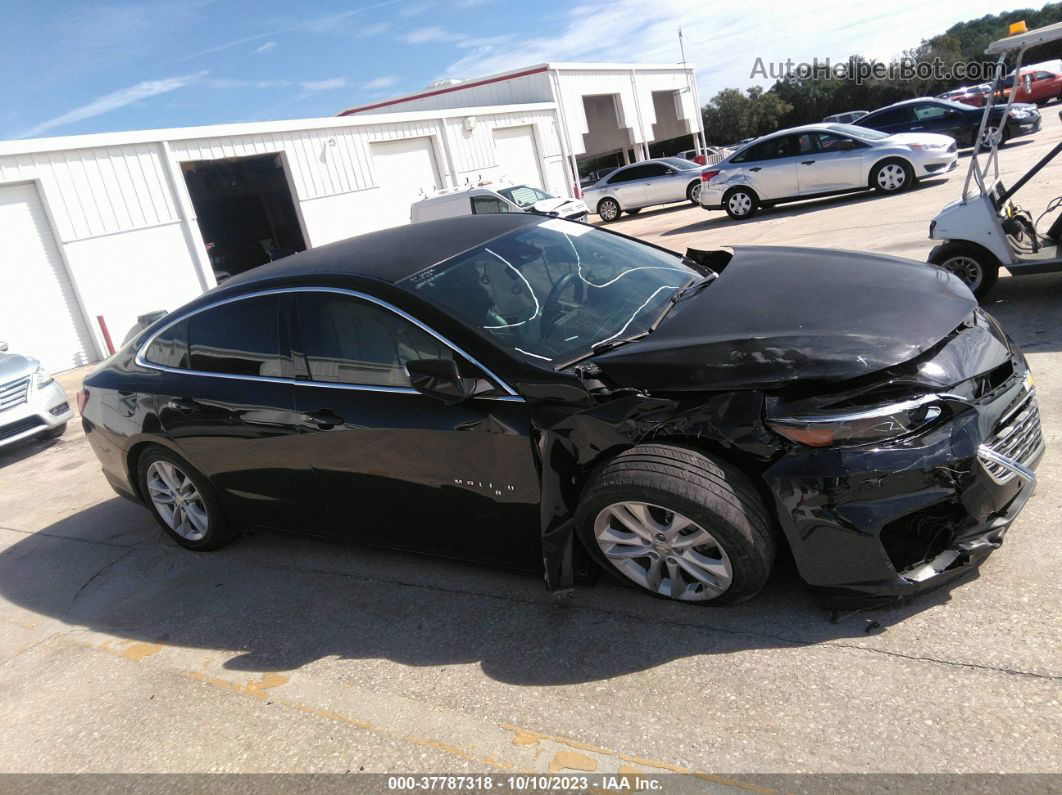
[{"x": 713, "y": 494}]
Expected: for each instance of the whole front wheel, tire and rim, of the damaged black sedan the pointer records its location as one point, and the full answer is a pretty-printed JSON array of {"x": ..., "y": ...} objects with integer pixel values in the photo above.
[{"x": 674, "y": 523}]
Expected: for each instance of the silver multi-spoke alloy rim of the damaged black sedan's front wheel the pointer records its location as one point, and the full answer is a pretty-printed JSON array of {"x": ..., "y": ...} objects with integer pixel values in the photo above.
[{"x": 663, "y": 551}]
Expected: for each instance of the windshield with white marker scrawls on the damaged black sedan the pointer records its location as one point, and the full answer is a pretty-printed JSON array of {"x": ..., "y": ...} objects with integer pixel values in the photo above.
[{"x": 554, "y": 292}]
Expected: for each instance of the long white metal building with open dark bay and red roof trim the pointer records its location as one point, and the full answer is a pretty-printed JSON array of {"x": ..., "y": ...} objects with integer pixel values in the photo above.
[{"x": 102, "y": 229}]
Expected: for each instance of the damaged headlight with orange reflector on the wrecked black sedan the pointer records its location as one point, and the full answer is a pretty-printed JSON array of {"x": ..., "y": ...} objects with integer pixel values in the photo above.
[{"x": 860, "y": 427}]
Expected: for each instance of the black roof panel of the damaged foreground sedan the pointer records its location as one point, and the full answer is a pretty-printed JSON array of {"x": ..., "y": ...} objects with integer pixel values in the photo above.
[{"x": 391, "y": 255}]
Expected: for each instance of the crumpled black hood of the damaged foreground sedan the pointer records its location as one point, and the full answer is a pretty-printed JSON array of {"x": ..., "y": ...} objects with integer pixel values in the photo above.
[{"x": 780, "y": 315}]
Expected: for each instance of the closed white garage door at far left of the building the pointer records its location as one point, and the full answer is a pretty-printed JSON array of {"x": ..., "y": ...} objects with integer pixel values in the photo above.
[{"x": 40, "y": 315}]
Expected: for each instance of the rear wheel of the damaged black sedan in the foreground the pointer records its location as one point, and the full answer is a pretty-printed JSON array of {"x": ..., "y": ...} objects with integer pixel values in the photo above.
[{"x": 182, "y": 500}]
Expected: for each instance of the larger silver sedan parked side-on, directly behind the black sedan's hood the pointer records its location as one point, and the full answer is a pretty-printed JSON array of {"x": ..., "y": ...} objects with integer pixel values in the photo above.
[{"x": 823, "y": 160}]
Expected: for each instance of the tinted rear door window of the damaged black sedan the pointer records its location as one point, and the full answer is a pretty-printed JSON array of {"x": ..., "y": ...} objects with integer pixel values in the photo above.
[{"x": 239, "y": 339}]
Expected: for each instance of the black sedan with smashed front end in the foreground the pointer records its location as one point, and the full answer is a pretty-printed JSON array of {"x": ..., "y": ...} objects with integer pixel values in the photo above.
[{"x": 495, "y": 388}]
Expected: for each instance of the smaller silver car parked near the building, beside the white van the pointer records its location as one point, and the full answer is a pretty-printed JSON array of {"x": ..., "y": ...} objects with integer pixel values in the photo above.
[{"x": 630, "y": 188}]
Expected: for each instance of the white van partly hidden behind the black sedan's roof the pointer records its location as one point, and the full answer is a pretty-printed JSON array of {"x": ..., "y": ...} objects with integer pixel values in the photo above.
[{"x": 481, "y": 199}]
